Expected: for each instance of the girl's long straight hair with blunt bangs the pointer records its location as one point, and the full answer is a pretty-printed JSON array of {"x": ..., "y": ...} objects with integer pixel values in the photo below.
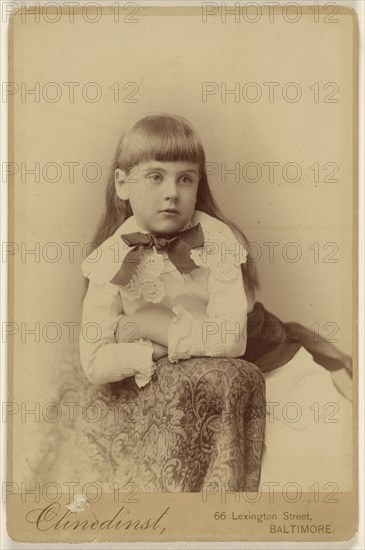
[{"x": 165, "y": 138}]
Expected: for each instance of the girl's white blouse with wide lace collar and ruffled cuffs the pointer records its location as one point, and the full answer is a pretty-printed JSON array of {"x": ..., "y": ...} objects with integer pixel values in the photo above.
[{"x": 209, "y": 303}]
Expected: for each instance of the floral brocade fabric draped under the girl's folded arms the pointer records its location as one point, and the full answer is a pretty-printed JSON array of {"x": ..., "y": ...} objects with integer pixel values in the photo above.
[{"x": 199, "y": 421}]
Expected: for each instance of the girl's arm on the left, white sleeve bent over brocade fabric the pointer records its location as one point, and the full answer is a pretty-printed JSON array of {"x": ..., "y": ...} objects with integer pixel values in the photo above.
[{"x": 102, "y": 357}]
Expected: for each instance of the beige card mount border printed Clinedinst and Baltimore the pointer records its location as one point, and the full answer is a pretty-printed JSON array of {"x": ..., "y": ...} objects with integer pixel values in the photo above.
[{"x": 184, "y": 509}]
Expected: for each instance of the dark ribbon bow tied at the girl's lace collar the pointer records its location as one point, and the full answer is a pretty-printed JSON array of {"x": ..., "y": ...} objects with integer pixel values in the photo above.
[{"x": 177, "y": 245}]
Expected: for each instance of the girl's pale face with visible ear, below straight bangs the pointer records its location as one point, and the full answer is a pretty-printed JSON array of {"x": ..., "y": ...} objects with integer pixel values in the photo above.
[{"x": 162, "y": 195}]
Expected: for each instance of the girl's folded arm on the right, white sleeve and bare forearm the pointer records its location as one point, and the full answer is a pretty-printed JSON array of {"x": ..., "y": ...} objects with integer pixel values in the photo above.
[{"x": 221, "y": 333}]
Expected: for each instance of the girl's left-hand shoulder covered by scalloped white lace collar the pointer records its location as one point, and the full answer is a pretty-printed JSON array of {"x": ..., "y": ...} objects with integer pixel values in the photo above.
[{"x": 102, "y": 264}]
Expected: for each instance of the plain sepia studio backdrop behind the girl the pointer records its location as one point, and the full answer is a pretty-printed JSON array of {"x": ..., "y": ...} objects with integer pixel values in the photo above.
[{"x": 167, "y": 59}]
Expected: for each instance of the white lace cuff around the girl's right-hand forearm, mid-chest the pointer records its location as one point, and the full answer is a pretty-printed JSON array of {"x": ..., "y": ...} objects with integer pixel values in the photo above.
[{"x": 179, "y": 335}]
